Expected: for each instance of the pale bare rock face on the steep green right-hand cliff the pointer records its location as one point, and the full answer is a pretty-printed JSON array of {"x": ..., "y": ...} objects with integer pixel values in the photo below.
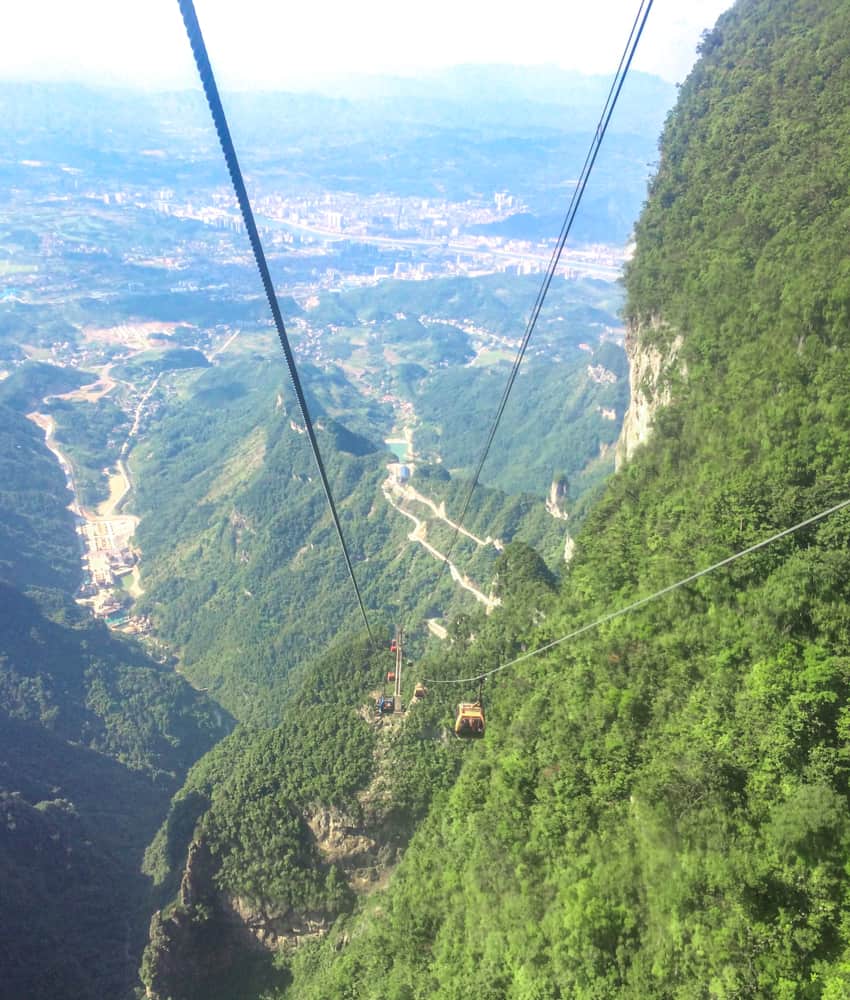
[{"x": 650, "y": 371}]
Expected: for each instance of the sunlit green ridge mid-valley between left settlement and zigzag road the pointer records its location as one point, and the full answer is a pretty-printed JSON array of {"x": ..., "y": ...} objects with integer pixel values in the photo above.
[{"x": 242, "y": 569}]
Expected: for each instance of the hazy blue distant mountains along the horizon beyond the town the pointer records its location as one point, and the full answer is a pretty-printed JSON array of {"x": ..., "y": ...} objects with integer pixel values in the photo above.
[{"x": 457, "y": 135}]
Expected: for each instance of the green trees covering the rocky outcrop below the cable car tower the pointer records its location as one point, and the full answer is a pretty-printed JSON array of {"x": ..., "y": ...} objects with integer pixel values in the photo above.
[{"x": 255, "y": 809}]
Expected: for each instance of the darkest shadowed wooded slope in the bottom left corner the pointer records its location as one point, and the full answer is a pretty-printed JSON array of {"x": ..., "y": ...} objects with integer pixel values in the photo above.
[{"x": 74, "y": 825}]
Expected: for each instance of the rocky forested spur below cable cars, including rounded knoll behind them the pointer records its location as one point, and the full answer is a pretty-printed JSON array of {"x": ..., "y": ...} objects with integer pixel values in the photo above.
[{"x": 278, "y": 831}]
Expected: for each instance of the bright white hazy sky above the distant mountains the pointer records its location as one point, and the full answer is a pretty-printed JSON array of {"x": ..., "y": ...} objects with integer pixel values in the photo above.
[{"x": 268, "y": 43}]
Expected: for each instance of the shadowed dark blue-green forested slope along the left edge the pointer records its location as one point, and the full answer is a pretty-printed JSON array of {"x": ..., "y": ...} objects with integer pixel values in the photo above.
[{"x": 94, "y": 738}]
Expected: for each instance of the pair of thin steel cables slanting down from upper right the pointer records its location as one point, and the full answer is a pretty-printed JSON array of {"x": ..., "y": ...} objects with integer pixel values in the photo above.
[{"x": 638, "y": 26}]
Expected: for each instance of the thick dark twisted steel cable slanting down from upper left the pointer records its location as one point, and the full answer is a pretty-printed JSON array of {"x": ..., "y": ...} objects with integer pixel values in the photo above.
[{"x": 199, "y": 50}]
